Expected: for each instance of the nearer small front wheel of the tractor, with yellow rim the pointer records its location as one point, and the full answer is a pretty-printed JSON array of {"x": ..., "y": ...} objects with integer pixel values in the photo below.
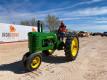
[{"x": 33, "y": 61}]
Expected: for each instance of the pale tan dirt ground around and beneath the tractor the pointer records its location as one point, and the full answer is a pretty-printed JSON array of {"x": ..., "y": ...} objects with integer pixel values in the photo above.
[{"x": 91, "y": 63}]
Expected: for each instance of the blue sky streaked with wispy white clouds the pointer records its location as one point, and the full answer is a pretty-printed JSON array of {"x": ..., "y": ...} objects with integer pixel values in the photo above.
[{"x": 87, "y": 15}]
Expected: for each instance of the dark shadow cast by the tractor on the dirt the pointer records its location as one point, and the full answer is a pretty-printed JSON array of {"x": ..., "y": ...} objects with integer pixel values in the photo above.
[{"x": 18, "y": 68}]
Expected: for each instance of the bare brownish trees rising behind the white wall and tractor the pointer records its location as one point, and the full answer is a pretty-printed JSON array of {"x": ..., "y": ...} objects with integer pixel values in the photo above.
[{"x": 51, "y": 21}]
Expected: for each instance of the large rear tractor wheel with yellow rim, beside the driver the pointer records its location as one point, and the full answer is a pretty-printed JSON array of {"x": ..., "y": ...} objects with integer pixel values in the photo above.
[{"x": 71, "y": 48}]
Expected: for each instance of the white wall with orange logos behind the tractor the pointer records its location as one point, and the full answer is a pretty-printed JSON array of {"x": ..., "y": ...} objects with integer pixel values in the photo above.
[{"x": 11, "y": 32}]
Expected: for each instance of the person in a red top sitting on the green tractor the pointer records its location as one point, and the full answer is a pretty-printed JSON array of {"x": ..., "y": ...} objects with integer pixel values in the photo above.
[{"x": 62, "y": 30}]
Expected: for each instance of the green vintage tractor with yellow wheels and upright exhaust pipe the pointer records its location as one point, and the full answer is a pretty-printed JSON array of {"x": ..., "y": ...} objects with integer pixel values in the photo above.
[{"x": 46, "y": 43}]
